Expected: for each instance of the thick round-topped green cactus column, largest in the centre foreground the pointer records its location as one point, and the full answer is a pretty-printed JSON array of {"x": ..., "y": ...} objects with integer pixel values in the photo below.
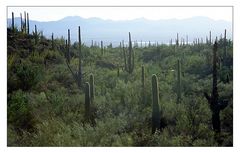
[{"x": 155, "y": 104}]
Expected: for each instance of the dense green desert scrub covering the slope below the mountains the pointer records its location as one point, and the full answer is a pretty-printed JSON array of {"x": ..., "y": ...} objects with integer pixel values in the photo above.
[{"x": 47, "y": 105}]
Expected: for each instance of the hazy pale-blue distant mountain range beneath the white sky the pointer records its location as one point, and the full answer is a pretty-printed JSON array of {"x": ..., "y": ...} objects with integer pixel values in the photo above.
[{"x": 97, "y": 29}]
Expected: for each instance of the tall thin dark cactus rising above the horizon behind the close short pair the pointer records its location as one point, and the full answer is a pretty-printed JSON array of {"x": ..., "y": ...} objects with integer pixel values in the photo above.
[{"x": 80, "y": 58}]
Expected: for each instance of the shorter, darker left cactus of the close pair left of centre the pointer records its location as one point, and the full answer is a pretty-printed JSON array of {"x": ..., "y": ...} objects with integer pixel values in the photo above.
[{"x": 87, "y": 101}]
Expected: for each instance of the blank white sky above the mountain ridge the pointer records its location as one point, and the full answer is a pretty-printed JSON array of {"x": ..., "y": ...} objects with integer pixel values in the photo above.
[{"x": 123, "y": 13}]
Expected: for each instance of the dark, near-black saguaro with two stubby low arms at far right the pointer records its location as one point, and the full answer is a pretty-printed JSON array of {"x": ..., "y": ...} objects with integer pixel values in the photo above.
[{"x": 215, "y": 105}]
